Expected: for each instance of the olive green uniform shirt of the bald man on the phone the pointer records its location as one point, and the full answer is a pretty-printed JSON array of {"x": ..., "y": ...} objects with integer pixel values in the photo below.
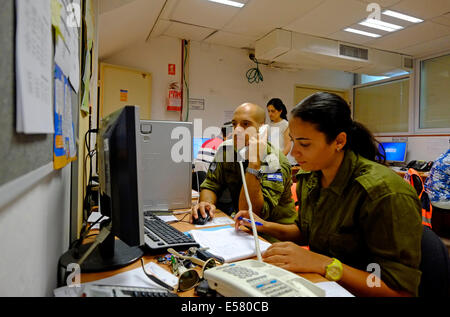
[{"x": 276, "y": 187}]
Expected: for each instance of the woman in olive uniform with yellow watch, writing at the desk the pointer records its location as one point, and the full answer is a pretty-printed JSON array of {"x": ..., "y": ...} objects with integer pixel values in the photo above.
[{"x": 356, "y": 216}]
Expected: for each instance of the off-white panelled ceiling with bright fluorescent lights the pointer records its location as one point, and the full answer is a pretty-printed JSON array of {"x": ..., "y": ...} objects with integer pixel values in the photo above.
[{"x": 124, "y": 22}]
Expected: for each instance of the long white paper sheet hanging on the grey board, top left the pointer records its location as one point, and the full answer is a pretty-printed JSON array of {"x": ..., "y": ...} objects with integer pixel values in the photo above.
[{"x": 34, "y": 73}]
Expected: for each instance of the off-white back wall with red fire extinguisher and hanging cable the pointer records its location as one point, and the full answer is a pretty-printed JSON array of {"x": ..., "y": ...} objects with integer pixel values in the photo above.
[{"x": 217, "y": 74}]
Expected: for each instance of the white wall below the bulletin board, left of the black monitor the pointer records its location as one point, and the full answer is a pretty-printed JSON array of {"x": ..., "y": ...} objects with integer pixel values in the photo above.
[{"x": 34, "y": 232}]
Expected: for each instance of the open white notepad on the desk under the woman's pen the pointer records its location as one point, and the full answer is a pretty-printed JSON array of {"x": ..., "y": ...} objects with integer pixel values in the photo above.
[{"x": 228, "y": 243}]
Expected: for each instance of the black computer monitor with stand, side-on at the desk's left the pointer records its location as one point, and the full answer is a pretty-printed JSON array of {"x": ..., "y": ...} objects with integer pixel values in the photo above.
[{"x": 120, "y": 170}]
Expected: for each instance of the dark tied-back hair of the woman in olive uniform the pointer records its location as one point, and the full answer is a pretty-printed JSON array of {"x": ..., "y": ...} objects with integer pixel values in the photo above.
[{"x": 331, "y": 115}]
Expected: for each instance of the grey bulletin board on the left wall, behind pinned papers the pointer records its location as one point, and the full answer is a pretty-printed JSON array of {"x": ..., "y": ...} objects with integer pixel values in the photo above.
[{"x": 20, "y": 153}]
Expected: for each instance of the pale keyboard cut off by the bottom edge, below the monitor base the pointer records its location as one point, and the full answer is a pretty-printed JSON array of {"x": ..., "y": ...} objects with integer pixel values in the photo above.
[{"x": 95, "y": 290}]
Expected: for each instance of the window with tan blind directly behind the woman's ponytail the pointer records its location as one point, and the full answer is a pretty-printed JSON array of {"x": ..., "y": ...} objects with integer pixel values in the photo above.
[{"x": 383, "y": 107}]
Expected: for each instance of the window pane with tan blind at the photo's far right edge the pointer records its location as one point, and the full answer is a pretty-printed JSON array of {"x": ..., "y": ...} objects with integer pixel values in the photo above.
[{"x": 434, "y": 109}]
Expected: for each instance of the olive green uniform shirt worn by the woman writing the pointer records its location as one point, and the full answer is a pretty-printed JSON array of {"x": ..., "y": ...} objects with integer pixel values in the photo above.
[{"x": 367, "y": 215}]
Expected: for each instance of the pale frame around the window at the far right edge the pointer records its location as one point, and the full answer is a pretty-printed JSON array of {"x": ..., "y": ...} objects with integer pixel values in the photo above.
[{"x": 417, "y": 85}]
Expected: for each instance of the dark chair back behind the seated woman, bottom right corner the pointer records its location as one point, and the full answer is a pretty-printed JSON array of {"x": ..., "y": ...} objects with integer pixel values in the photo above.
[{"x": 435, "y": 266}]
